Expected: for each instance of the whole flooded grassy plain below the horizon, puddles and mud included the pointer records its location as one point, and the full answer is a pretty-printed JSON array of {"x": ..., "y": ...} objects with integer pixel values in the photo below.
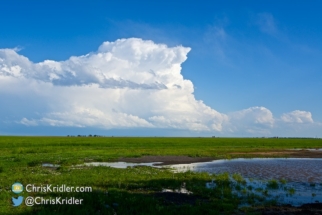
[{"x": 140, "y": 179}]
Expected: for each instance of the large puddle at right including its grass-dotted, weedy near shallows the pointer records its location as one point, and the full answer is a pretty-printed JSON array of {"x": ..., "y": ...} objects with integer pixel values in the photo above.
[{"x": 294, "y": 181}]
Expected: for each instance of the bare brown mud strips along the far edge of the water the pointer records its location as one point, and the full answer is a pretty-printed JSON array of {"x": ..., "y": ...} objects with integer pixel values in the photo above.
[{"x": 169, "y": 160}]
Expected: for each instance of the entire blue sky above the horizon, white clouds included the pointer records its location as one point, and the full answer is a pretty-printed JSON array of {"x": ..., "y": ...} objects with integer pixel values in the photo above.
[{"x": 161, "y": 68}]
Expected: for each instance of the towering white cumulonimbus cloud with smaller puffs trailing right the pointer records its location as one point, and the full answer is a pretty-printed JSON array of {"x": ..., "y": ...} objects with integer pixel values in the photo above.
[{"x": 129, "y": 83}]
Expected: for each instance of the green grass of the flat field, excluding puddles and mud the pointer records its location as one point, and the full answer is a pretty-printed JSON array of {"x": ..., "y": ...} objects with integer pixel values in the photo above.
[{"x": 132, "y": 190}]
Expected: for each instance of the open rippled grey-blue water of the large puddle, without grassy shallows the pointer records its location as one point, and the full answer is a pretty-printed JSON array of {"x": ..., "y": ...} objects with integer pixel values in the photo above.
[{"x": 290, "y": 169}]
